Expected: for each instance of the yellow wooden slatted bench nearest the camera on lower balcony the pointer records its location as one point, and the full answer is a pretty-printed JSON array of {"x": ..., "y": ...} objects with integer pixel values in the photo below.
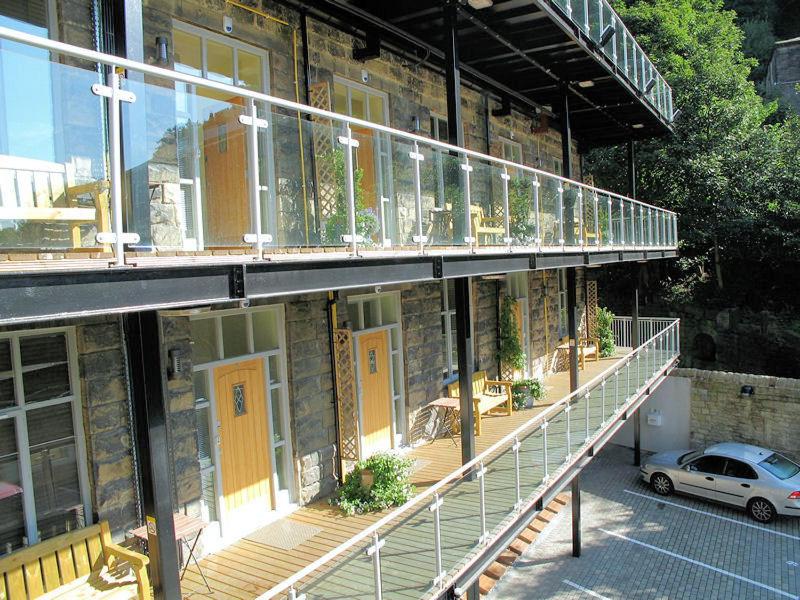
[{"x": 80, "y": 564}]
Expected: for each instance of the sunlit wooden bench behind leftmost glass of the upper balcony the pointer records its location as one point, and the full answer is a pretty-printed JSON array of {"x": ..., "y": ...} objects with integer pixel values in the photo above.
[{"x": 40, "y": 191}]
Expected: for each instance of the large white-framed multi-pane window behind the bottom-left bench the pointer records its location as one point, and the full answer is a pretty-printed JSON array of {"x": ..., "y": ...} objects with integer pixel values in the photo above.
[{"x": 43, "y": 481}]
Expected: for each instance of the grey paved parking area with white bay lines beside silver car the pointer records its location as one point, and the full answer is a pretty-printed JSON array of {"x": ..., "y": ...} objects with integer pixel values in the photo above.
[{"x": 639, "y": 545}]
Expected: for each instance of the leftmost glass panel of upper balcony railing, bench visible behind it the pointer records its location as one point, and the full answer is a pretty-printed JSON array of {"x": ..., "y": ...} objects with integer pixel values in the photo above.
[{"x": 54, "y": 184}]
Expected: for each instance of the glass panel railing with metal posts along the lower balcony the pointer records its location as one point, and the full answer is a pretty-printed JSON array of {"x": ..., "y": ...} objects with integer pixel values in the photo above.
[{"x": 420, "y": 548}]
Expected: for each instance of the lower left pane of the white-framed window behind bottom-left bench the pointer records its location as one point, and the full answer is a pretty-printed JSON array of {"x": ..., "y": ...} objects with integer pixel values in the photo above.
[{"x": 12, "y": 520}]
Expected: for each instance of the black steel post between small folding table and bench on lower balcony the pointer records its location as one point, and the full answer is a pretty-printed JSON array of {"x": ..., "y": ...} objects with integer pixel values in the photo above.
[{"x": 465, "y": 368}]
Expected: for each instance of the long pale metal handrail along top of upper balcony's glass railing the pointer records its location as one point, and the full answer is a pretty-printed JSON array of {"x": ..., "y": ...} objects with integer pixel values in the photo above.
[{"x": 117, "y": 62}]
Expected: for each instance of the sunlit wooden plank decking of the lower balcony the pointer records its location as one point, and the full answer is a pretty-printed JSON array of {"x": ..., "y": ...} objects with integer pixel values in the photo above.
[{"x": 246, "y": 569}]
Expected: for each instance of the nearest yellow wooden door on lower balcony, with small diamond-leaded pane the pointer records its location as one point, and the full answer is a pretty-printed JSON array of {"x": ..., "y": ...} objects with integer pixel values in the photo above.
[{"x": 244, "y": 440}]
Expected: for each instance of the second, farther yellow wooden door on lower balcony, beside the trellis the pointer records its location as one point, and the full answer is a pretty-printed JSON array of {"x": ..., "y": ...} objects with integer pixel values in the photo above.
[{"x": 376, "y": 394}]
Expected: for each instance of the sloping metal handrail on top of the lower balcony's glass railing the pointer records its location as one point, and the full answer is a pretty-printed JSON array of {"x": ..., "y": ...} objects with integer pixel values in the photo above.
[{"x": 430, "y": 492}]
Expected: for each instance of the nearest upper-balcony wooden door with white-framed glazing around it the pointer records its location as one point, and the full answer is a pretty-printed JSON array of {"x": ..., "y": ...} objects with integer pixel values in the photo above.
[{"x": 215, "y": 208}]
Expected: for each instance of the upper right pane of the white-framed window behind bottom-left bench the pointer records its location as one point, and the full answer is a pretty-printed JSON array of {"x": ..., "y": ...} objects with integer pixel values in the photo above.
[{"x": 45, "y": 368}]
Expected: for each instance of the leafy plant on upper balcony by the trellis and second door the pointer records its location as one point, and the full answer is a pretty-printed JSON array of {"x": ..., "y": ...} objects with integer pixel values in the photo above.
[{"x": 338, "y": 224}]
